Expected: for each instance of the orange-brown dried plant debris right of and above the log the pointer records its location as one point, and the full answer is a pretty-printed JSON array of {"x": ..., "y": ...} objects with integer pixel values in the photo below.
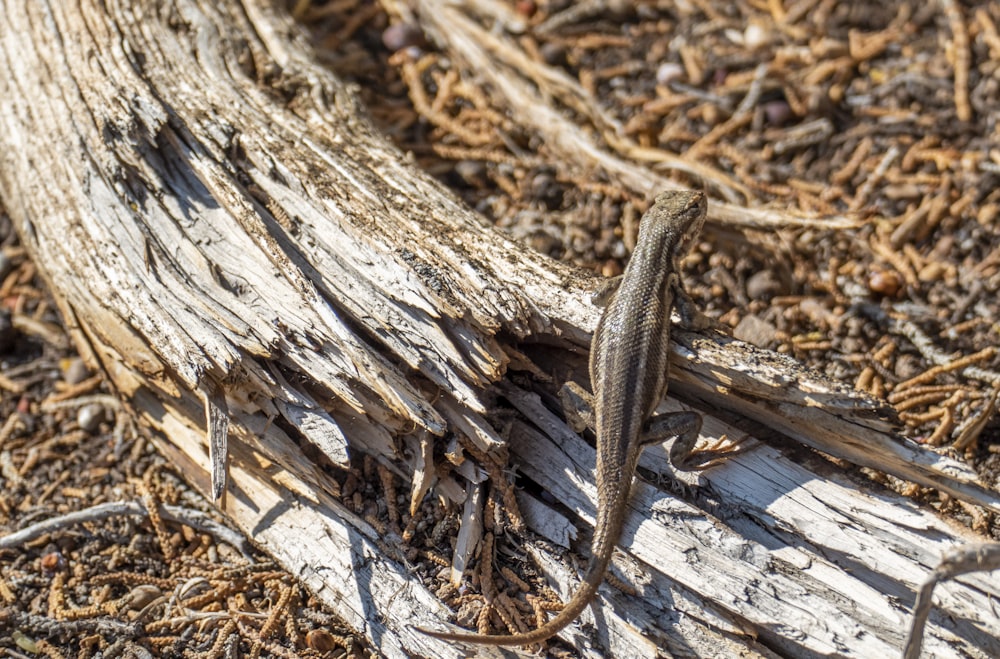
[{"x": 882, "y": 114}]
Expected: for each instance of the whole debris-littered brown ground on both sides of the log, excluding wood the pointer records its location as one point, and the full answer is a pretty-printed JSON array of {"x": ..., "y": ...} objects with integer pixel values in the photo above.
[{"x": 882, "y": 113}]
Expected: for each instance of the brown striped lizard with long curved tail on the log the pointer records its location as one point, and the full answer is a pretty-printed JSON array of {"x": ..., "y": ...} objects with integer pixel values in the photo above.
[{"x": 629, "y": 359}]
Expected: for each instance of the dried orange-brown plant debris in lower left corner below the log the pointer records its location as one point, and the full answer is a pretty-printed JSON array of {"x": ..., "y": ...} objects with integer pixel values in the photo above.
[{"x": 102, "y": 551}]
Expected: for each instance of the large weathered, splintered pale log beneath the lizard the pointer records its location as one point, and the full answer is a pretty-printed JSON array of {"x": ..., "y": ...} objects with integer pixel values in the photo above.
[{"x": 231, "y": 240}]
